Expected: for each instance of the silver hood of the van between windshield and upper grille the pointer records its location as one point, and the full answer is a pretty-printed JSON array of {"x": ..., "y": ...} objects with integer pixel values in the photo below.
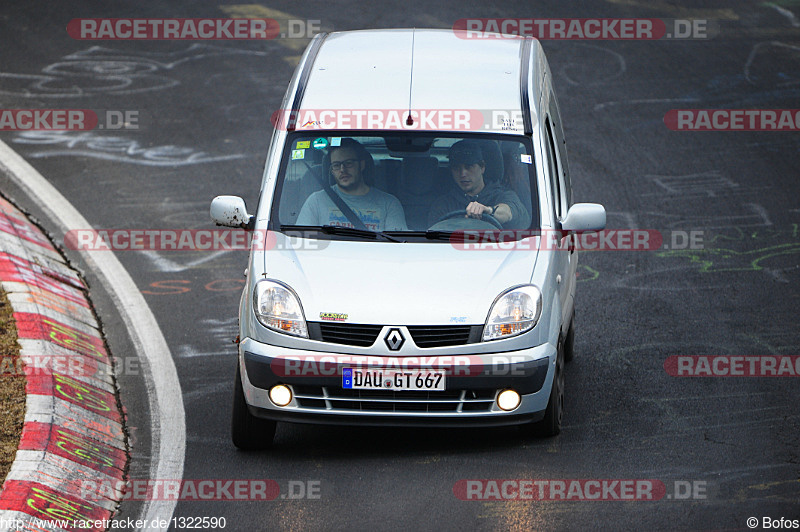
[{"x": 396, "y": 284}]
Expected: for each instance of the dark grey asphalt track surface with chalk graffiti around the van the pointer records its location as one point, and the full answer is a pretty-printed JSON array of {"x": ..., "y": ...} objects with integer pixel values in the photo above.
[{"x": 734, "y": 441}]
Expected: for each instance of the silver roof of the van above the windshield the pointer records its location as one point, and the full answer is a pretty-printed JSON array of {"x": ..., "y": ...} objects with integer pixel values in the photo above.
[{"x": 372, "y": 70}]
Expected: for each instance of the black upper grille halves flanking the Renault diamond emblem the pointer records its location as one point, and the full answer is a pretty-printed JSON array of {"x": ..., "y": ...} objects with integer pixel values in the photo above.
[{"x": 361, "y": 335}]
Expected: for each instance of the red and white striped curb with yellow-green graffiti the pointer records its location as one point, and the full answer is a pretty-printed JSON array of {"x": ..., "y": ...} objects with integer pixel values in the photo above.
[{"x": 72, "y": 435}]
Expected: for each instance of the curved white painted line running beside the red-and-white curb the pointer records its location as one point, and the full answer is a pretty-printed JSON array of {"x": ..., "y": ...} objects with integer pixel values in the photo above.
[{"x": 168, "y": 422}]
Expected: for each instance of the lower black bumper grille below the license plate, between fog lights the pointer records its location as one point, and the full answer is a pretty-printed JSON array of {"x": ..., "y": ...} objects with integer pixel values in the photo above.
[{"x": 339, "y": 399}]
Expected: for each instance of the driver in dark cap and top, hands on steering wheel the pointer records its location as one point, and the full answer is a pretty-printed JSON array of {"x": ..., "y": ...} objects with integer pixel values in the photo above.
[{"x": 473, "y": 195}]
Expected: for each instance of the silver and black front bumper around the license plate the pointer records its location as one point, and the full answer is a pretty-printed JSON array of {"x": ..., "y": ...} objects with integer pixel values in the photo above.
[{"x": 469, "y": 399}]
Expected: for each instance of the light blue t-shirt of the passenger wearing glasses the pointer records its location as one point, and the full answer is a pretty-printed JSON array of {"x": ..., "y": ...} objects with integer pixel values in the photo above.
[{"x": 378, "y": 210}]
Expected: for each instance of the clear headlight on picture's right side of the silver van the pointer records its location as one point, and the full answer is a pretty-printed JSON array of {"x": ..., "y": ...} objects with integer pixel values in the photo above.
[{"x": 514, "y": 312}]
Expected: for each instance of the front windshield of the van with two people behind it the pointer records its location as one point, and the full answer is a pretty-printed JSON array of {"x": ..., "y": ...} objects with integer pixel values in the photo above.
[{"x": 404, "y": 183}]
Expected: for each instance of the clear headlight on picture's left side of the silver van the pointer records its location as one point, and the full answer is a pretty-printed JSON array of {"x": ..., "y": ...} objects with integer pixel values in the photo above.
[{"x": 278, "y": 308}]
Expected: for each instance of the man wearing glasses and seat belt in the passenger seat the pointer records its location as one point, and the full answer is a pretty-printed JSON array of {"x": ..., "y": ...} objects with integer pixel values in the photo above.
[{"x": 378, "y": 210}]
